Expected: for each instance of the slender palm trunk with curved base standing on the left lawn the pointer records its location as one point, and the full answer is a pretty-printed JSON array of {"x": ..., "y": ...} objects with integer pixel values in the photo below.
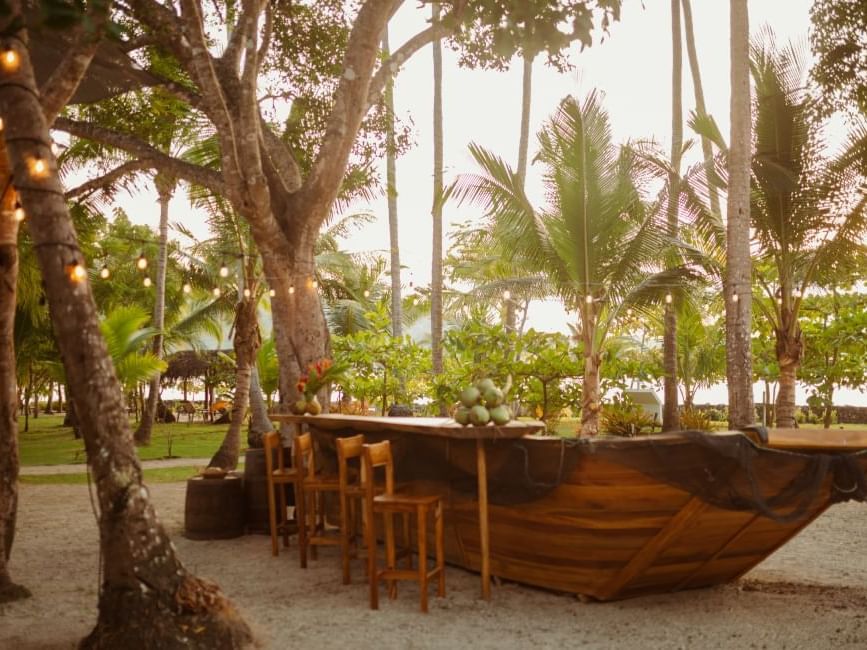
[{"x": 165, "y": 187}]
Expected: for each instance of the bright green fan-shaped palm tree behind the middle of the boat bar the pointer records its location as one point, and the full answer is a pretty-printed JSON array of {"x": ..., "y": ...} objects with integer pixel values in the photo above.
[{"x": 596, "y": 240}]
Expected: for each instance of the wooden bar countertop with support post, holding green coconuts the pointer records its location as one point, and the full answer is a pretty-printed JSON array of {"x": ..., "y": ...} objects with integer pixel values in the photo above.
[{"x": 440, "y": 427}]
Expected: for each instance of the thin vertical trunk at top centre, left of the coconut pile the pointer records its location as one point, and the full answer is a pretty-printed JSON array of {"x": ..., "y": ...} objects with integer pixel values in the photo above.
[{"x": 437, "y": 211}]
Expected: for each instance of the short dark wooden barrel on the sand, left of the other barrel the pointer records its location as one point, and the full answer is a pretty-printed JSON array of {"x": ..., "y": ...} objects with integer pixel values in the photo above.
[{"x": 214, "y": 508}]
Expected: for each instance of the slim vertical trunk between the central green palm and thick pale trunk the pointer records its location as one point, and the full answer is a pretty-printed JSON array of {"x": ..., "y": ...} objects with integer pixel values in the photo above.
[{"x": 670, "y": 419}]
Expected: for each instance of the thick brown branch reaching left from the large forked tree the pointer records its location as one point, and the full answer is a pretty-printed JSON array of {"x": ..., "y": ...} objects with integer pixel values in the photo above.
[{"x": 181, "y": 169}]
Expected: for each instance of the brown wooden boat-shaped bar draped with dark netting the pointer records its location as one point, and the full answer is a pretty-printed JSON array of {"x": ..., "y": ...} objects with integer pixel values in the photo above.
[{"x": 615, "y": 518}]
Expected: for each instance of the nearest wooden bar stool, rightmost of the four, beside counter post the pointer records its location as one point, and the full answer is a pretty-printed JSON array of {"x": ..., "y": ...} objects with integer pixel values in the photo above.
[{"x": 388, "y": 503}]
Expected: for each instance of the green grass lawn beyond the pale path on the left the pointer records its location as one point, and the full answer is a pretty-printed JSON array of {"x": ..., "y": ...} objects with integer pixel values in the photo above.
[{"x": 50, "y": 443}]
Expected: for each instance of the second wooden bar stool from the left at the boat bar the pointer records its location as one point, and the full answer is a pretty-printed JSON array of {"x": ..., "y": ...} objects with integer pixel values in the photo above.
[{"x": 312, "y": 488}]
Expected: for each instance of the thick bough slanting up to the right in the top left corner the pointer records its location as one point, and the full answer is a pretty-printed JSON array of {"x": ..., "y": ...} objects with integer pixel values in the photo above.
[{"x": 63, "y": 82}]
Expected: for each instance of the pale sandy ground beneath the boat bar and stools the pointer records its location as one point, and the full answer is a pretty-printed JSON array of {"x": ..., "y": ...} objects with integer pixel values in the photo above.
[{"x": 810, "y": 594}]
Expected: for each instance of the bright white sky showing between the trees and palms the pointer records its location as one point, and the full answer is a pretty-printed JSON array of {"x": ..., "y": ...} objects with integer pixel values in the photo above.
[{"x": 633, "y": 69}]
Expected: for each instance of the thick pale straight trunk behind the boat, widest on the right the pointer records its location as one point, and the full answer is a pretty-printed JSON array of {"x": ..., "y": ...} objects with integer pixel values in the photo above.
[{"x": 738, "y": 278}]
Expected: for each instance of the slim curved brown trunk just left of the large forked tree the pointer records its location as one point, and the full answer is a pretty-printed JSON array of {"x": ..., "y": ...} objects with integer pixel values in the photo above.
[{"x": 246, "y": 342}]
